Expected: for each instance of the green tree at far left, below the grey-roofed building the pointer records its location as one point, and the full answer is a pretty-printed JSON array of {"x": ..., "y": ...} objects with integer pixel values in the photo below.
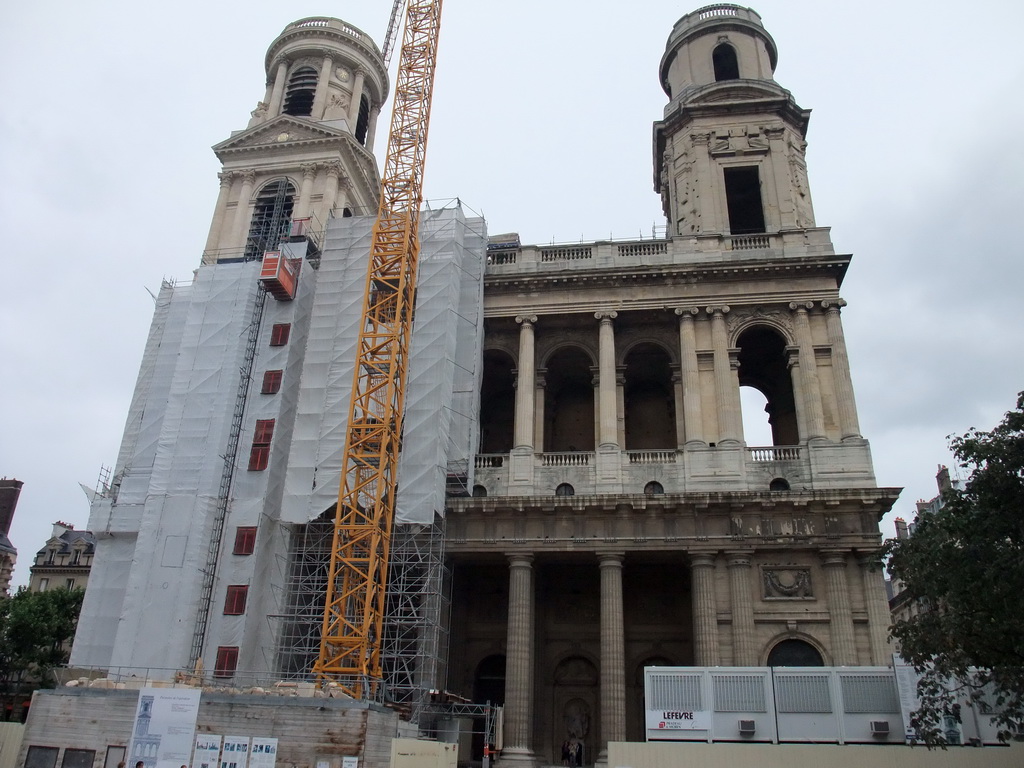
[{"x": 36, "y": 630}]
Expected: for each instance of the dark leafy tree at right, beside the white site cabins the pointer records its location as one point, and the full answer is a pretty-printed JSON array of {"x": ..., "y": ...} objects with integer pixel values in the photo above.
[{"x": 965, "y": 567}]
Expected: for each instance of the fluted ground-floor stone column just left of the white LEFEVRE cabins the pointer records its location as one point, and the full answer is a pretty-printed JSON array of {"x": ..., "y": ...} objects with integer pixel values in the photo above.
[{"x": 613, "y": 655}]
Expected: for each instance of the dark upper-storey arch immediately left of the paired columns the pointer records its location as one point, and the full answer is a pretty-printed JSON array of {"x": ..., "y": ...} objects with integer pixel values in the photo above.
[{"x": 650, "y": 401}]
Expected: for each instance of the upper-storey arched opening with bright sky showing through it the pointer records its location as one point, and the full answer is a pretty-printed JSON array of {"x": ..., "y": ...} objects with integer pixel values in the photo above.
[{"x": 763, "y": 367}]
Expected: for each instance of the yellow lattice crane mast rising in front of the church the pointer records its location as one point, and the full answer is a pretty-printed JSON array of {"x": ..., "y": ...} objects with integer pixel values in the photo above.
[{"x": 354, "y": 615}]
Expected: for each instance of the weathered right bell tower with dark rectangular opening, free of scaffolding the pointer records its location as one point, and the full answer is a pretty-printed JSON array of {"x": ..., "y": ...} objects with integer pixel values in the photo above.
[{"x": 730, "y": 152}]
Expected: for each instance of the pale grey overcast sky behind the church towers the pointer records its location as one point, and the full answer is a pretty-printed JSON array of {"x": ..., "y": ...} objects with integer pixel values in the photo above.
[{"x": 542, "y": 122}]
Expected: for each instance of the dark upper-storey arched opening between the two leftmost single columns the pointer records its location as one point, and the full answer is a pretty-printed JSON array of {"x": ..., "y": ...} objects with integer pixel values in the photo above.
[{"x": 569, "y": 403}]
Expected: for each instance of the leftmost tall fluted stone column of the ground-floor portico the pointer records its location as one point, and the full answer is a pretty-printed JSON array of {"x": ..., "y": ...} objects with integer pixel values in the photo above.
[{"x": 520, "y": 664}]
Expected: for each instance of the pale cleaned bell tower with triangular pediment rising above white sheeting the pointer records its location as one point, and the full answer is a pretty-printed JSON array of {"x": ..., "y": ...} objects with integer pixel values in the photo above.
[{"x": 307, "y": 154}]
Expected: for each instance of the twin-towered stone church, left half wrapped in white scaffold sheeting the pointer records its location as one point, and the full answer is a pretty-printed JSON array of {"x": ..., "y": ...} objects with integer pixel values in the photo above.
[{"x": 605, "y": 513}]
